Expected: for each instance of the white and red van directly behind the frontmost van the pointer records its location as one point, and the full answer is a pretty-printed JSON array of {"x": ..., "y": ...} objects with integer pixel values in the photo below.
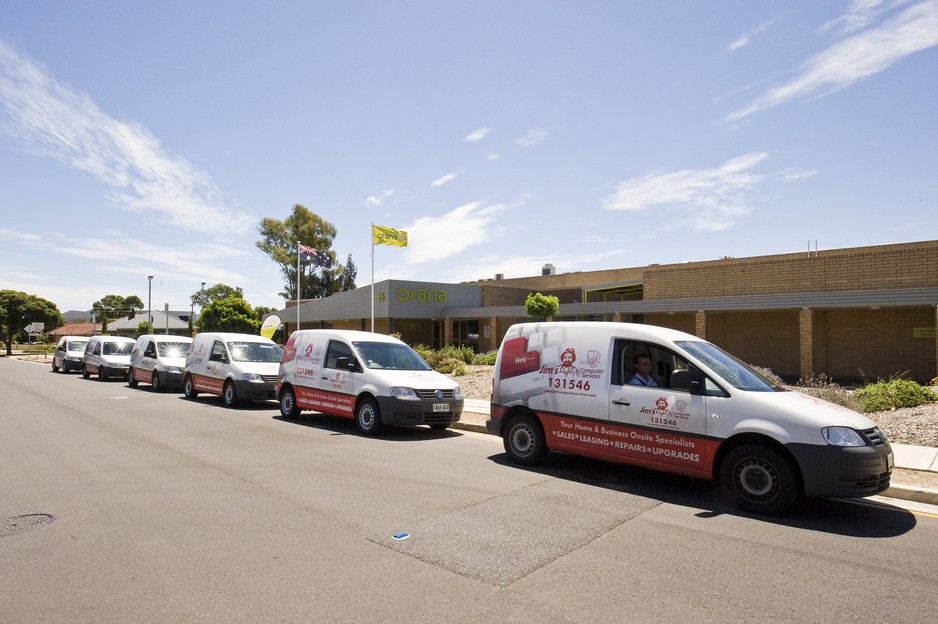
[{"x": 375, "y": 379}]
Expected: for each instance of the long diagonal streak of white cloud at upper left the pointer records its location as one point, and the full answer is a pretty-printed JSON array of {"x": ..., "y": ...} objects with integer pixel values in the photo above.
[{"x": 53, "y": 120}]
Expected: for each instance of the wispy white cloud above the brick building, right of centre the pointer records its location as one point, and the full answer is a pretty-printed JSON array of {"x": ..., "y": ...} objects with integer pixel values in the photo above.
[{"x": 705, "y": 199}]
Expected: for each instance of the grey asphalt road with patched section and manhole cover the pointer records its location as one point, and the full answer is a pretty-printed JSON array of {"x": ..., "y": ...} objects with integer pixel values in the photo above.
[{"x": 166, "y": 510}]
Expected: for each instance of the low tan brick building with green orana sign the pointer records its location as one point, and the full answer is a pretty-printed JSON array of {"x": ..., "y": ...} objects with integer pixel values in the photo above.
[{"x": 866, "y": 312}]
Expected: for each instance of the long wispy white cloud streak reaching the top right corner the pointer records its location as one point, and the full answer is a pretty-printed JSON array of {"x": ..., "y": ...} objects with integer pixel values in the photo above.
[{"x": 856, "y": 58}]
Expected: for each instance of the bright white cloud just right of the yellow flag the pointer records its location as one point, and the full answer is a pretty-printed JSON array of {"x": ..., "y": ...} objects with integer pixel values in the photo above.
[{"x": 430, "y": 239}]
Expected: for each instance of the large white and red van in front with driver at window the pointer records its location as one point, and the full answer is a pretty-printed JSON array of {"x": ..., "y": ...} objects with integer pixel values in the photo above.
[{"x": 587, "y": 388}]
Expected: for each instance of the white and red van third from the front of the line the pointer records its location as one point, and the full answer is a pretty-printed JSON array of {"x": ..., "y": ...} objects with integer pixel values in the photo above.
[{"x": 237, "y": 367}]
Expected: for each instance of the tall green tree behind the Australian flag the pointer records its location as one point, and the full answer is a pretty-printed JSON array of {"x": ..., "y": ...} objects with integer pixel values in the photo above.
[{"x": 303, "y": 226}]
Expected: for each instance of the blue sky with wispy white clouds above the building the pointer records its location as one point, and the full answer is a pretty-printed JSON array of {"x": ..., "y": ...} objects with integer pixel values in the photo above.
[{"x": 150, "y": 138}]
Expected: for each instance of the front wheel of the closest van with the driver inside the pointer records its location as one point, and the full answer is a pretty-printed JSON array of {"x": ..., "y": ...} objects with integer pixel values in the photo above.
[{"x": 760, "y": 479}]
